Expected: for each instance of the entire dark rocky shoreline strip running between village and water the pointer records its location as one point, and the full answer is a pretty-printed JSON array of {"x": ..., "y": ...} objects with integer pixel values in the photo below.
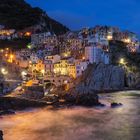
[{"x": 8, "y": 105}]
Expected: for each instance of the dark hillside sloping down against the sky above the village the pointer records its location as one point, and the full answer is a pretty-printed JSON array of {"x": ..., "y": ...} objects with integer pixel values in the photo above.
[{"x": 18, "y": 14}]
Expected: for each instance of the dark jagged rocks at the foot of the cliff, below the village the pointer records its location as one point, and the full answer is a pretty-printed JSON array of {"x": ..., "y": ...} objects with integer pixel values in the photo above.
[{"x": 87, "y": 99}]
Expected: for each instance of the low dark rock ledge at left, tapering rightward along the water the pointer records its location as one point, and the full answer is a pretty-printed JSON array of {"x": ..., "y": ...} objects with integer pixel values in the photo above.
[{"x": 12, "y": 103}]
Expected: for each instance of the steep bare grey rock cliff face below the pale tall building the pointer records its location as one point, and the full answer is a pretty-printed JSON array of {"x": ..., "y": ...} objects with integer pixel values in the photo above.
[{"x": 101, "y": 78}]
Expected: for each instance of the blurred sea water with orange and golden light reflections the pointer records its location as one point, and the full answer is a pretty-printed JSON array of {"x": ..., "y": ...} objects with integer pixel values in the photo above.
[{"x": 78, "y": 123}]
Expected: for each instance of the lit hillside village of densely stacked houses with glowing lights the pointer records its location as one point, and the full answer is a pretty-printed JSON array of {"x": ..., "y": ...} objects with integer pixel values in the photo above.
[{"x": 53, "y": 61}]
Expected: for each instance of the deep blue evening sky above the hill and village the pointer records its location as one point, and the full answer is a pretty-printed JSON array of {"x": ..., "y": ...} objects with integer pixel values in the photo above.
[{"x": 77, "y": 14}]
